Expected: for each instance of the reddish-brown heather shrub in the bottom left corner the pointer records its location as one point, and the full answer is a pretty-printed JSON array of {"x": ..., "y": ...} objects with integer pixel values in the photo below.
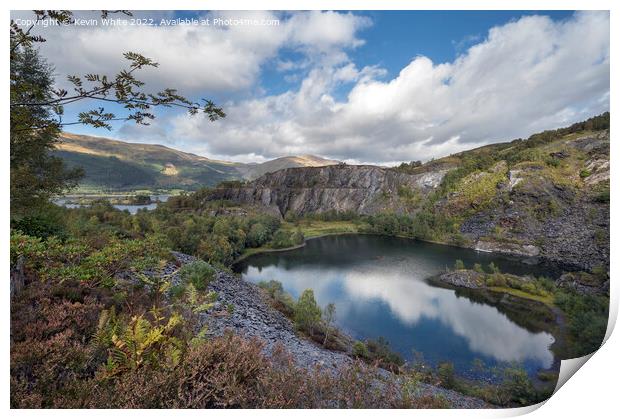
[{"x": 50, "y": 353}]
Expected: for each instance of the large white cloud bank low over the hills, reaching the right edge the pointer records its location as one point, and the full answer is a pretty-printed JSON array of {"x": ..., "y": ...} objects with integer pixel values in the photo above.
[{"x": 525, "y": 76}]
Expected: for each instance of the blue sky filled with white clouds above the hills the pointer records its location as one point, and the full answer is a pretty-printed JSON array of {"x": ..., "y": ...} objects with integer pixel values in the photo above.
[{"x": 363, "y": 87}]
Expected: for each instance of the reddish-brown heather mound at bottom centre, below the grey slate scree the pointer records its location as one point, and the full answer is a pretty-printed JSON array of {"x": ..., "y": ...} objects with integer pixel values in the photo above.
[{"x": 232, "y": 372}]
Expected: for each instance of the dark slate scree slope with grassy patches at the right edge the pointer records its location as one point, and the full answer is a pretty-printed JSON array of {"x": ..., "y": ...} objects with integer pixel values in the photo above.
[{"x": 562, "y": 219}]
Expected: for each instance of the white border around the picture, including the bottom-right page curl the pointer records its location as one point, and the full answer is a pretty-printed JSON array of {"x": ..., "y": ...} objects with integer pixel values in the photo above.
[{"x": 591, "y": 393}]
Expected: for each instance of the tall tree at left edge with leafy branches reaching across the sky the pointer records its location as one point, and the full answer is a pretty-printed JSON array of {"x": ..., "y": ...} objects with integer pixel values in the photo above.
[{"x": 37, "y": 108}]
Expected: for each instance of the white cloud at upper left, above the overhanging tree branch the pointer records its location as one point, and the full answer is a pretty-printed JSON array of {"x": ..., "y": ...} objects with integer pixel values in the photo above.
[{"x": 200, "y": 58}]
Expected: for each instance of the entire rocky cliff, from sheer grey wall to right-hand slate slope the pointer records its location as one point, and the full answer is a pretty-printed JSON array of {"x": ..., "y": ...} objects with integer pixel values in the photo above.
[{"x": 546, "y": 200}]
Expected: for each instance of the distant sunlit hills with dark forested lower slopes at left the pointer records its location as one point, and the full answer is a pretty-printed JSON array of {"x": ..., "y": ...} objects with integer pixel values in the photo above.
[{"x": 118, "y": 165}]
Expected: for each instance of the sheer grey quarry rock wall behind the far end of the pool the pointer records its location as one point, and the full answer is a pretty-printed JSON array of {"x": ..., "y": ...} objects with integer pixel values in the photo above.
[{"x": 360, "y": 189}]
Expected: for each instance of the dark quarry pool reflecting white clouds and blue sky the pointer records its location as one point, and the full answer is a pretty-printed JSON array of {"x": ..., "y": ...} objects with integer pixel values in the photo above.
[{"x": 378, "y": 286}]
